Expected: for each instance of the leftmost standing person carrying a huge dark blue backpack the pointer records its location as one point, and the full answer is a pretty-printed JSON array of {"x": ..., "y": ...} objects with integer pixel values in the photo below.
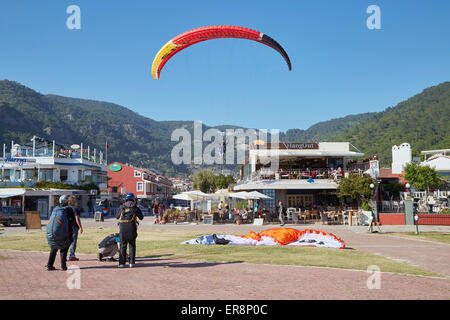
[{"x": 60, "y": 232}]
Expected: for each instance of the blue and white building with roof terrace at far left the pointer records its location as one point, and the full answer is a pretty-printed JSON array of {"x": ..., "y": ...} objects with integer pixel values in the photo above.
[{"x": 41, "y": 160}]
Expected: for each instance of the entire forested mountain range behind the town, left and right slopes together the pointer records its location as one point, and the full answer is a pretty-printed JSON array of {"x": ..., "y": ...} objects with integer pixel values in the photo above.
[{"x": 422, "y": 121}]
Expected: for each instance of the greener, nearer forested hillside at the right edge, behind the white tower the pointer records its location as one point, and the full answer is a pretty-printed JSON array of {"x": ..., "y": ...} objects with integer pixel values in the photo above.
[{"x": 423, "y": 121}]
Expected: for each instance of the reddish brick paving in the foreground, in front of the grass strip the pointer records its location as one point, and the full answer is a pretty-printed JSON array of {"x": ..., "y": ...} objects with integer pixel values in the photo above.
[{"x": 159, "y": 277}]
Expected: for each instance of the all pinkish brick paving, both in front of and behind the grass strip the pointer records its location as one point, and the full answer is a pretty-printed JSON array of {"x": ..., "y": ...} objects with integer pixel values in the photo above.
[{"x": 160, "y": 277}]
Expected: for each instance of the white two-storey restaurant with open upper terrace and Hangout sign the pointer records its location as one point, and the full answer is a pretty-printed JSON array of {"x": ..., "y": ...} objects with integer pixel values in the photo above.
[{"x": 307, "y": 173}]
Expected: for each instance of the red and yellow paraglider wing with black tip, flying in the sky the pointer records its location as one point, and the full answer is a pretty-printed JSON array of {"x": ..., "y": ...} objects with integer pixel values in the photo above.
[{"x": 191, "y": 37}]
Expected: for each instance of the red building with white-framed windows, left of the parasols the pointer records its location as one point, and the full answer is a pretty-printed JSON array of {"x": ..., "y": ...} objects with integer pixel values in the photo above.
[{"x": 146, "y": 184}]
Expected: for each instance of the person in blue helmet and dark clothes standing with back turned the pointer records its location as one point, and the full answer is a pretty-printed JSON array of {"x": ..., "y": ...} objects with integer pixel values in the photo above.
[{"x": 127, "y": 214}]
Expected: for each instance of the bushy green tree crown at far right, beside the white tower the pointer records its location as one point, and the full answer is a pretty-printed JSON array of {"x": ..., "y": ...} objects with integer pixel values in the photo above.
[{"x": 422, "y": 177}]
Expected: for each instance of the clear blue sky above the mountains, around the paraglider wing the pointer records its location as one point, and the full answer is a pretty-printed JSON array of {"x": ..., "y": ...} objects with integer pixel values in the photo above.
[{"x": 340, "y": 67}]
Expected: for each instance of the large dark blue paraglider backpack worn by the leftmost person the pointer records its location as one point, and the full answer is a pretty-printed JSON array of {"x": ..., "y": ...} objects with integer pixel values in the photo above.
[{"x": 58, "y": 235}]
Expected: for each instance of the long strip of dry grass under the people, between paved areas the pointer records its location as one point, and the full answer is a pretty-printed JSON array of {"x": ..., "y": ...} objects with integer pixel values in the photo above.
[{"x": 167, "y": 243}]
